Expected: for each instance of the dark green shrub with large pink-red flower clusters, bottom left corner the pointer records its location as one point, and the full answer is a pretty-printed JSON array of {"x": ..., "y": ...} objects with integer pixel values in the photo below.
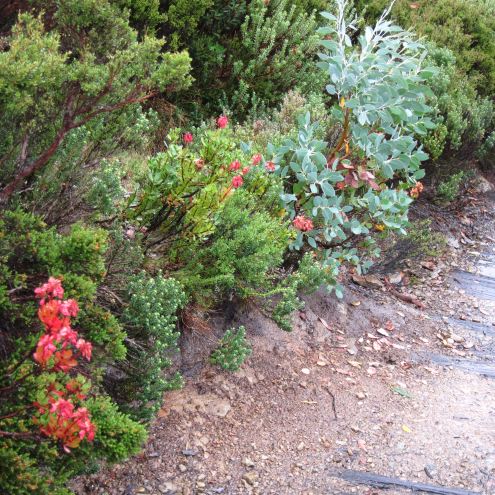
[{"x": 47, "y": 404}]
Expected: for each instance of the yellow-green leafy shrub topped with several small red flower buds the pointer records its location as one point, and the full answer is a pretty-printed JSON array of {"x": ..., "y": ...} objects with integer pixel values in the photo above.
[{"x": 186, "y": 186}]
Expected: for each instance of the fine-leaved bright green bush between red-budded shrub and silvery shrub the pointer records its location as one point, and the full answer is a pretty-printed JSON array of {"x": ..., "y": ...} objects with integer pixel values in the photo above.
[{"x": 239, "y": 257}]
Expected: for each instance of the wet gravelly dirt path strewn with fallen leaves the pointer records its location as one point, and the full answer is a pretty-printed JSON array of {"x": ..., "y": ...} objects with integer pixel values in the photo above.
[{"x": 368, "y": 384}]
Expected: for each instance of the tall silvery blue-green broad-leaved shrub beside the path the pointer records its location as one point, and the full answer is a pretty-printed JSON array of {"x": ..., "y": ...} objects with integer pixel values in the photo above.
[{"x": 337, "y": 193}]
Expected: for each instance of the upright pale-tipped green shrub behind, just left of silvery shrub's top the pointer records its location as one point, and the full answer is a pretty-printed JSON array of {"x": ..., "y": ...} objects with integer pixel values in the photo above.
[{"x": 275, "y": 53}]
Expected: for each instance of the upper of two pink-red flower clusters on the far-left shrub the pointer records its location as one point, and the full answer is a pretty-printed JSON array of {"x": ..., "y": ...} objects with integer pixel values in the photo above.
[{"x": 55, "y": 347}]
